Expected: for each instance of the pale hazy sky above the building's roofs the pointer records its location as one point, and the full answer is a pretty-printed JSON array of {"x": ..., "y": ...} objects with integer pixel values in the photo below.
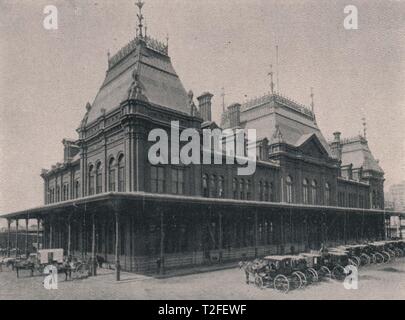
[{"x": 47, "y": 77}]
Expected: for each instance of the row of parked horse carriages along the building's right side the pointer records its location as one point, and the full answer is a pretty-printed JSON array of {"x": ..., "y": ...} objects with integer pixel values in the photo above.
[{"x": 288, "y": 272}]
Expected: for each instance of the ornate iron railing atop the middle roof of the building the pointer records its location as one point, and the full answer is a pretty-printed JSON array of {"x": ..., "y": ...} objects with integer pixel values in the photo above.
[{"x": 279, "y": 98}]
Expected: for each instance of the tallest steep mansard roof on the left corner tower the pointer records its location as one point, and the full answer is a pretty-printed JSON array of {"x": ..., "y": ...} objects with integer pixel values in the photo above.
[{"x": 160, "y": 83}]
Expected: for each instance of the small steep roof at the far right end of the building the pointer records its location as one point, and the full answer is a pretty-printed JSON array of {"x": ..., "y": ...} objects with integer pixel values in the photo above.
[{"x": 356, "y": 151}]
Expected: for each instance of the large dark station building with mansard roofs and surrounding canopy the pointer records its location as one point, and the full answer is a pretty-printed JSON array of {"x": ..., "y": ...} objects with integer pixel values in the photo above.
[{"x": 105, "y": 198}]
